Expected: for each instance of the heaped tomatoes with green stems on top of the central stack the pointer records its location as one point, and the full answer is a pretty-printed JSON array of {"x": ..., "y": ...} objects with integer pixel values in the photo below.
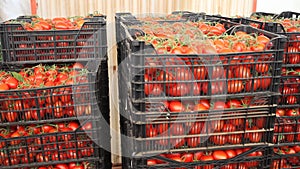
[{"x": 188, "y": 38}]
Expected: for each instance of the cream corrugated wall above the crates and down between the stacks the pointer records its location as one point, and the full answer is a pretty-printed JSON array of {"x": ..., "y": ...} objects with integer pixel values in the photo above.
[{"x": 54, "y": 8}]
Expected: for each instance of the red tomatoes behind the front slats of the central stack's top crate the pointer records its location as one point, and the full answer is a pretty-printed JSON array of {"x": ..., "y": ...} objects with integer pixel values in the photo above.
[{"x": 191, "y": 77}]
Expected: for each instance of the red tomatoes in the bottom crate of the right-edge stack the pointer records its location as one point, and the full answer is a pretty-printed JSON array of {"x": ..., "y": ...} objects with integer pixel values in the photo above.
[{"x": 286, "y": 162}]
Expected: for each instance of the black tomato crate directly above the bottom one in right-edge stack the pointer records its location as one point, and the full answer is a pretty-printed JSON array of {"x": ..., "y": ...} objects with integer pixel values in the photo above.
[{"x": 287, "y": 130}]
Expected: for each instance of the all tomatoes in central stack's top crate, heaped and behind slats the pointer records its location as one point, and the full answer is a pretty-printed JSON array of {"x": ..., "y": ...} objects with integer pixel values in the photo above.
[{"x": 192, "y": 75}]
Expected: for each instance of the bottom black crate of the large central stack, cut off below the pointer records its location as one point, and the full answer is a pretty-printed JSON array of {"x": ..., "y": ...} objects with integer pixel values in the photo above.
[{"x": 171, "y": 161}]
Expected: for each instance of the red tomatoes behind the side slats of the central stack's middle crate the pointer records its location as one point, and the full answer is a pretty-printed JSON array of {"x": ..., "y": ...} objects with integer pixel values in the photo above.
[{"x": 235, "y": 130}]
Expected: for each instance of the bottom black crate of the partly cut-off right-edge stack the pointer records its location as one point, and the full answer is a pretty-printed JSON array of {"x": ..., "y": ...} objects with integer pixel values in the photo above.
[{"x": 278, "y": 160}]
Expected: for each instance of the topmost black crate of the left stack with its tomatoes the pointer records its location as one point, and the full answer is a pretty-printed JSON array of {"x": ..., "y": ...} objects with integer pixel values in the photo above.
[{"x": 53, "y": 39}]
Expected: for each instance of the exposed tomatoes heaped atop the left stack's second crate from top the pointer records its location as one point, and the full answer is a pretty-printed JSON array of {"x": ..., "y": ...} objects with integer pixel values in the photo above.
[{"x": 43, "y": 76}]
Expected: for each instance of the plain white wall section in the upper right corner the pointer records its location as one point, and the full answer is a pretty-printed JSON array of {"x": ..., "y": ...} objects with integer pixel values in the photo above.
[{"x": 277, "y": 6}]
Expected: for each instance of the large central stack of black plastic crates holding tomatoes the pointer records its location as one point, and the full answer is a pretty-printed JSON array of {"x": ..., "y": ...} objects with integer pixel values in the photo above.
[{"x": 192, "y": 110}]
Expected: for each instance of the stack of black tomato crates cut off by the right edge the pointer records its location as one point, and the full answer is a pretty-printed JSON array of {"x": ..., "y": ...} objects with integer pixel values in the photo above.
[{"x": 286, "y": 138}]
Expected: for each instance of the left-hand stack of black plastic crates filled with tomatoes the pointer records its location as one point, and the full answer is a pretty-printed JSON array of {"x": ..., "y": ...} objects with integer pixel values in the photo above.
[{"x": 48, "y": 124}]
